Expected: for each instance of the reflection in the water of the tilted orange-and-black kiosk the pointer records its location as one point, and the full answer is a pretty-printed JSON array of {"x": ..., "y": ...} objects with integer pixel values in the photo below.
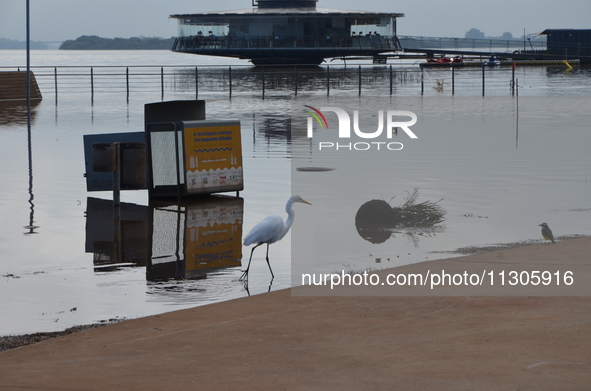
[{"x": 173, "y": 241}]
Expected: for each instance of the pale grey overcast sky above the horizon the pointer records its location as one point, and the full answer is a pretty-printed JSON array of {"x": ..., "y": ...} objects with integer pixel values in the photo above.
[{"x": 58, "y": 20}]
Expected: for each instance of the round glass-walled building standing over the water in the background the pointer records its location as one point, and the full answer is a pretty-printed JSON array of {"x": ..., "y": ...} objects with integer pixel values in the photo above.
[{"x": 287, "y": 32}]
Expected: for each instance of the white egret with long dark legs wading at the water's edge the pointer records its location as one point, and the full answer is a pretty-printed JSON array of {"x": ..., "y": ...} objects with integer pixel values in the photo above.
[{"x": 271, "y": 230}]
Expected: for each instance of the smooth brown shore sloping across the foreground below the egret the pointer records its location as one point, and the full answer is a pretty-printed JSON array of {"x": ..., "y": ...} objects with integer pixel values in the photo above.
[{"x": 358, "y": 340}]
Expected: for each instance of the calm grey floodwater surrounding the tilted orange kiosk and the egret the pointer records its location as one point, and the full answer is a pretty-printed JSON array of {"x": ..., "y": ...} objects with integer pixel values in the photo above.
[{"x": 500, "y": 167}]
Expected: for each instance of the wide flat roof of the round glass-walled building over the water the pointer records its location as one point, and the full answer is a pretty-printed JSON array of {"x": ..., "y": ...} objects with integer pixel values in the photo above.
[{"x": 291, "y": 11}]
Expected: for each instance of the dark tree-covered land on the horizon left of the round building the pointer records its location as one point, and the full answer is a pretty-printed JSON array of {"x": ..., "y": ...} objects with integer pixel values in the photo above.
[{"x": 93, "y": 42}]
